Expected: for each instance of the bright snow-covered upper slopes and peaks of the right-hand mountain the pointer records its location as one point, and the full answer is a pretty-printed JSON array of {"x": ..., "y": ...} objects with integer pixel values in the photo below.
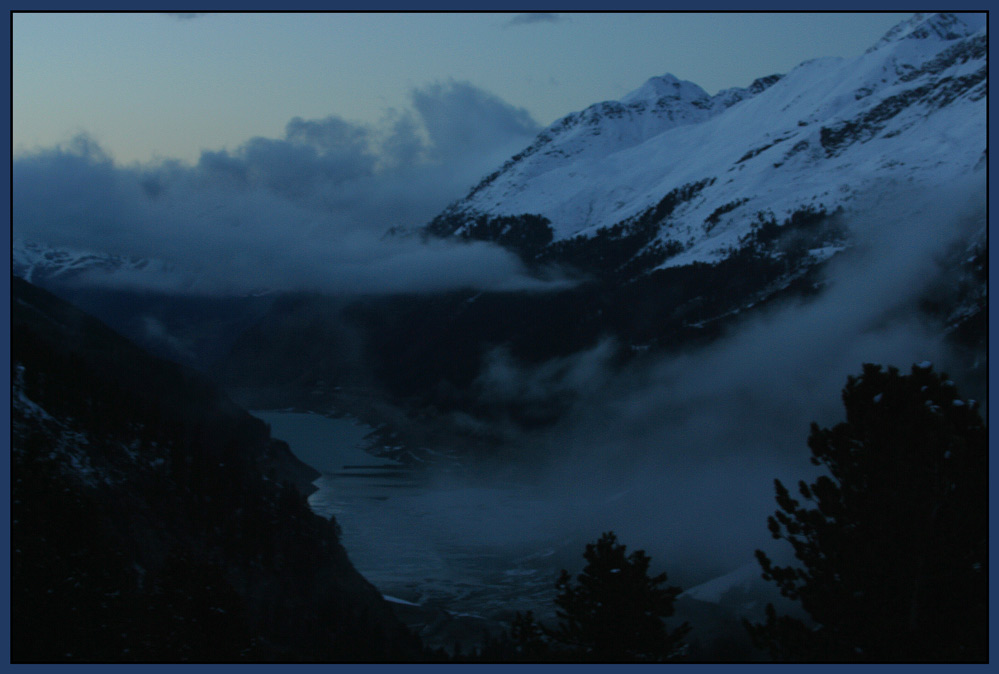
[{"x": 911, "y": 110}]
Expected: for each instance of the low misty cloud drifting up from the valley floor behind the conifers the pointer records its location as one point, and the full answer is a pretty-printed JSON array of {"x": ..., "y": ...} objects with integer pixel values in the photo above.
[{"x": 677, "y": 454}]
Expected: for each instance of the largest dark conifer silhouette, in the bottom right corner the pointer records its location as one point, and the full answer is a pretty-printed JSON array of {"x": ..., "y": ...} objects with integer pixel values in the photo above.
[{"x": 894, "y": 539}]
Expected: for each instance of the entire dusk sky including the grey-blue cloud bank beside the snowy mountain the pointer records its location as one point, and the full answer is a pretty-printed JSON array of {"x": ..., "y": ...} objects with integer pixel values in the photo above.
[{"x": 250, "y": 151}]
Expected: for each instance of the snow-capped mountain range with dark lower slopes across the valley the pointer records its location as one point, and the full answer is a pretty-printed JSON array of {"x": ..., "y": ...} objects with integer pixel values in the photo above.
[{"x": 684, "y": 212}]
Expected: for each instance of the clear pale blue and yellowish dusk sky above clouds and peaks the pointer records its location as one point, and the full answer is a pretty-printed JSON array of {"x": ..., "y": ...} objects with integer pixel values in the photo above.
[{"x": 152, "y": 85}]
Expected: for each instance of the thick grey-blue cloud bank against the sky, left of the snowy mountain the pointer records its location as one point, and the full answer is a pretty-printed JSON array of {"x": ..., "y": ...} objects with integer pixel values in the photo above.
[{"x": 309, "y": 210}]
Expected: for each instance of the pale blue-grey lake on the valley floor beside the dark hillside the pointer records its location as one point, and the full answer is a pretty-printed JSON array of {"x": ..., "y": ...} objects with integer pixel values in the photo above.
[{"x": 460, "y": 557}]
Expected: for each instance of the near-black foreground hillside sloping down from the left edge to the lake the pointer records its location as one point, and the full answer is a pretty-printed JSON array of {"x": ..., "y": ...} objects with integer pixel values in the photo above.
[{"x": 155, "y": 521}]
